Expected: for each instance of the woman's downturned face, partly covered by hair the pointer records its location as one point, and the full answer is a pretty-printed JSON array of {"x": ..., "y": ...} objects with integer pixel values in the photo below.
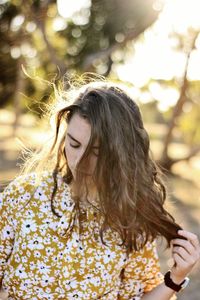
[{"x": 76, "y": 141}]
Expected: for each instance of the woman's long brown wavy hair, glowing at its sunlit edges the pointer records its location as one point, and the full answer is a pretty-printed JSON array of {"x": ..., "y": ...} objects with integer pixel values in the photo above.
[{"x": 129, "y": 182}]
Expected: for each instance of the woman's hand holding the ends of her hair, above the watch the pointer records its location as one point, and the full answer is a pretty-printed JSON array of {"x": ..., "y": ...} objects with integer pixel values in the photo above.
[{"x": 186, "y": 254}]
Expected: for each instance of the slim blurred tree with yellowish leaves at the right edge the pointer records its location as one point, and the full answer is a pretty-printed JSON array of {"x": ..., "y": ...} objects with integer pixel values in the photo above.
[{"x": 187, "y": 44}]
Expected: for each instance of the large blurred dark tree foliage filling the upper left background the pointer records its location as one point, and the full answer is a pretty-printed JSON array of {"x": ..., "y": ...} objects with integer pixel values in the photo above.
[{"x": 33, "y": 33}]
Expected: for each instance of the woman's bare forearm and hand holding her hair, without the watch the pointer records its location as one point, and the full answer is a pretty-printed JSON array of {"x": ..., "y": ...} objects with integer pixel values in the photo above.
[{"x": 185, "y": 253}]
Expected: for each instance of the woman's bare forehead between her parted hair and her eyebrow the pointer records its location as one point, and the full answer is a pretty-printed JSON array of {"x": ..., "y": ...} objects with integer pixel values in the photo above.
[{"x": 79, "y": 128}]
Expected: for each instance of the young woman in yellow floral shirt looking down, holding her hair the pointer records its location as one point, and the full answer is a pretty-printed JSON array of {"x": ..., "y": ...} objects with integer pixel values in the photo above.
[{"x": 83, "y": 224}]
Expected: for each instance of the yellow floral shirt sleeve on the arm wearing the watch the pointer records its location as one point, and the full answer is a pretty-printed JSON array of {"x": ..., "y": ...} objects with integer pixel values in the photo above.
[{"x": 141, "y": 273}]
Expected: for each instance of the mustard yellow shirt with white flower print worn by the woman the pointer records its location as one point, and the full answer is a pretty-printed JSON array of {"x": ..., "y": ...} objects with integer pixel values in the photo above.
[{"x": 46, "y": 257}]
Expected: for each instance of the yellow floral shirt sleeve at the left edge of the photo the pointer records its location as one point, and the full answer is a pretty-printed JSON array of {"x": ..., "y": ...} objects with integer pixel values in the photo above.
[{"x": 11, "y": 199}]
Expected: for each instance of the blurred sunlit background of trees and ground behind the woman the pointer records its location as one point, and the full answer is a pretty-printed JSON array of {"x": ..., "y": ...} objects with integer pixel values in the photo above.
[{"x": 153, "y": 46}]
